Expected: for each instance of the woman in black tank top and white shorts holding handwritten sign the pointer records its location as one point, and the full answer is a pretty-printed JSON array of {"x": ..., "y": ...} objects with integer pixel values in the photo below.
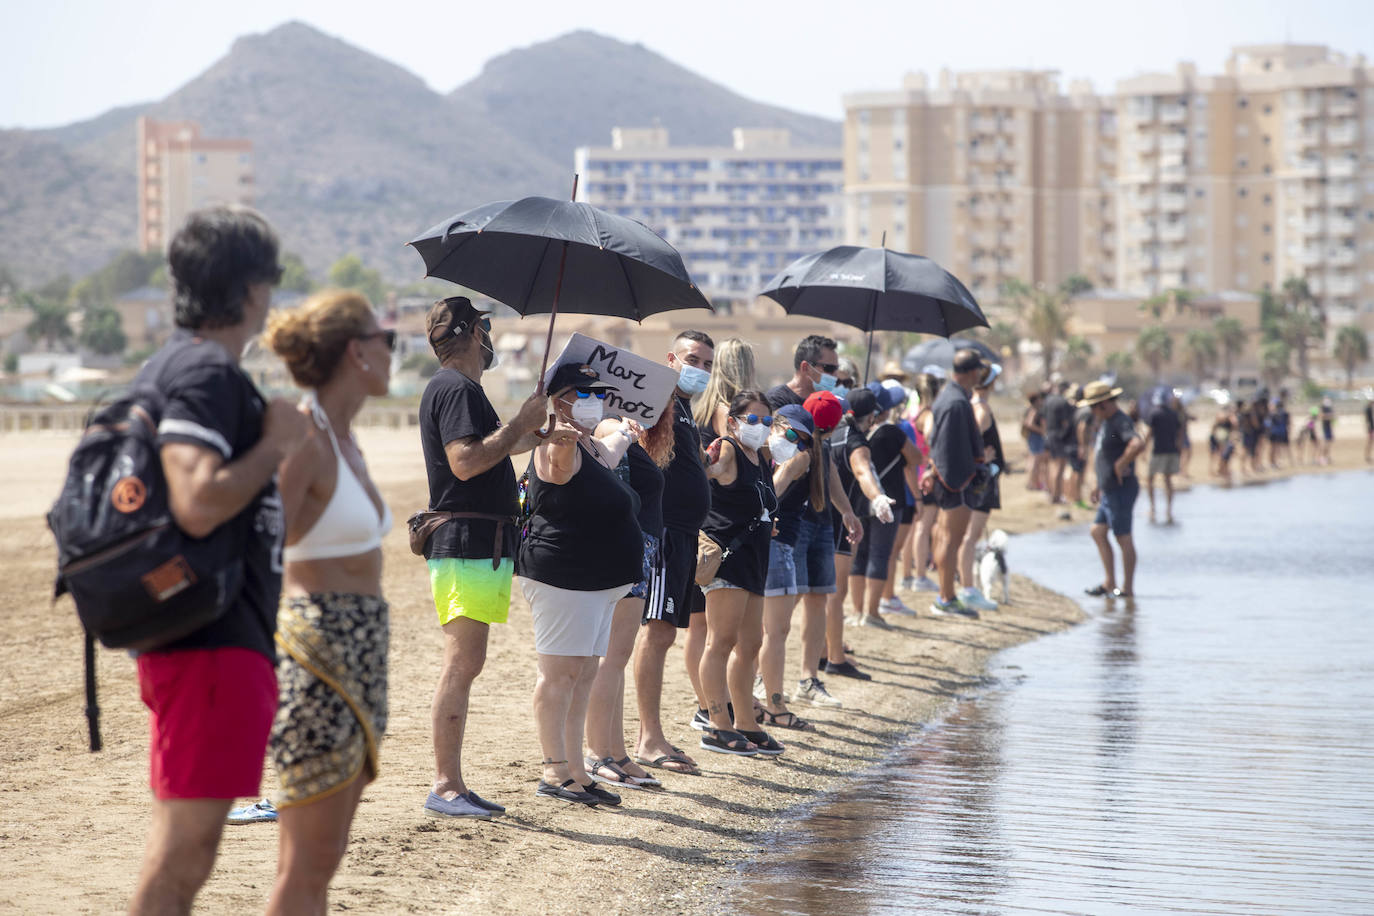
[{"x": 581, "y": 556}]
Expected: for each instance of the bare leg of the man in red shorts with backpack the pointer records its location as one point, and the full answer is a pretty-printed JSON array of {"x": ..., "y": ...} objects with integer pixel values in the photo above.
[{"x": 183, "y": 838}]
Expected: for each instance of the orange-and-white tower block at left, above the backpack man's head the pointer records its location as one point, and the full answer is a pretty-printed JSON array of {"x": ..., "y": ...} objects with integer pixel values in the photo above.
[{"x": 181, "y": 171}]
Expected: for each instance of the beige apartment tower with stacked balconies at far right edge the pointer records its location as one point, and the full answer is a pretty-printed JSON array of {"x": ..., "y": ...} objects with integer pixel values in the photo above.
[{"x": 1246, "y": 179}]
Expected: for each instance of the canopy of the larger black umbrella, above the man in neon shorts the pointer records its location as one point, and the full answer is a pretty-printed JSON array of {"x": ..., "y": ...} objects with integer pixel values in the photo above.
[{"x": 512, "y": 252}]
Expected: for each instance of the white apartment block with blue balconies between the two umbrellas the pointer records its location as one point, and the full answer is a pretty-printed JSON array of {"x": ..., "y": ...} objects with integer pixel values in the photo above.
[{"x": 739, "y": 215}]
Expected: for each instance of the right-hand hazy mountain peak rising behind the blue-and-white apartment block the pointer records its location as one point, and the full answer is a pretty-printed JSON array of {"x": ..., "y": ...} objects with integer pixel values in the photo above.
[{"x": 571, "y": 91}]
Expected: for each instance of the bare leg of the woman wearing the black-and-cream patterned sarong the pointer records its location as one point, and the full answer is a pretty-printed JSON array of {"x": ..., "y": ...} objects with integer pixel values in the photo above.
[{"x": 311, "y": 845}]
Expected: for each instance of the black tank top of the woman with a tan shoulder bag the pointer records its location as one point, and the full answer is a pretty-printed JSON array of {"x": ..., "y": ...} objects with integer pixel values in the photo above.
[{"x": 748, "y": 502}]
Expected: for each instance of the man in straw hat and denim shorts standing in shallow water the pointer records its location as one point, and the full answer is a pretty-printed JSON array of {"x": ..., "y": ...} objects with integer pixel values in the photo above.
[{"x": 1115, "y": 451}]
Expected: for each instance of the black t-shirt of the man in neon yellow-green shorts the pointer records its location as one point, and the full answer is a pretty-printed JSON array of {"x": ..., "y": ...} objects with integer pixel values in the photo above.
[{"x": 454, "y": 407}]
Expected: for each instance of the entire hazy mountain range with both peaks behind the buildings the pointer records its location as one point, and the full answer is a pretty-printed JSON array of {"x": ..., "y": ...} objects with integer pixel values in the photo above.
[{"x": 357, "y": 154}]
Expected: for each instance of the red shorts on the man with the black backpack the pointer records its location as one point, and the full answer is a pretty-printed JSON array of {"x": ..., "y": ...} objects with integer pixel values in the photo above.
[{"x": 212, "y": 713}]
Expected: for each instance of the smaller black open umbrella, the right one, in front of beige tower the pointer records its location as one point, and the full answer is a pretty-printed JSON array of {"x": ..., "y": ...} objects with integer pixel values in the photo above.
[{"x": 877, "y": 290}]
